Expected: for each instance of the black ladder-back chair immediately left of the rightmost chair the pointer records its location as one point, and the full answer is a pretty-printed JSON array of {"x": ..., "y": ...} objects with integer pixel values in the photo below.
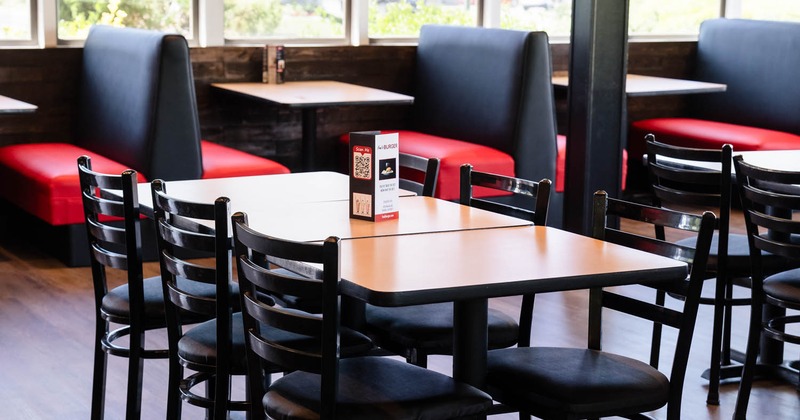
[{"x": 688, "y": 185}]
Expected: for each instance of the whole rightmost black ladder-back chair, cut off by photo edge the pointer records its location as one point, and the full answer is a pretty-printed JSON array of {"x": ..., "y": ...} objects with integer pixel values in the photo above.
[{"x": 769, "y": 198}]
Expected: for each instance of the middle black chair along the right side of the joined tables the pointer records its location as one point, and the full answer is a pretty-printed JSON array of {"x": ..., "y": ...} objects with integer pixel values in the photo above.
[{"x": 418, "y": 331}]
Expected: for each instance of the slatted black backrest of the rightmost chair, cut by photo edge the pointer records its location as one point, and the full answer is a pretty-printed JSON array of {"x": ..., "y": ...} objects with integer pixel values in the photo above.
[{"x": 769, "y": 198}]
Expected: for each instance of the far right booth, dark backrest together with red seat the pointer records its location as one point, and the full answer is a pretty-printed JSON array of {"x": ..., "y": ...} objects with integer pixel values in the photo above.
[{"x": 758, "y": 61}]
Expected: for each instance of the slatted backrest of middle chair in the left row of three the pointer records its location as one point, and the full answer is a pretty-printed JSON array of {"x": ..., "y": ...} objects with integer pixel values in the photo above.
[{"x": 194, "y": 246}]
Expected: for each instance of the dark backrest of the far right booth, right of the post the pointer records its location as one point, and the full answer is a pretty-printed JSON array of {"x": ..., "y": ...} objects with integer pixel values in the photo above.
[{"x": 759, "y": 62}]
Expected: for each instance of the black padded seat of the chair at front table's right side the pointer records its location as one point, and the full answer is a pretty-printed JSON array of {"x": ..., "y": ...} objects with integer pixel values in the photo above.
[{"x": 556, "y": 378}]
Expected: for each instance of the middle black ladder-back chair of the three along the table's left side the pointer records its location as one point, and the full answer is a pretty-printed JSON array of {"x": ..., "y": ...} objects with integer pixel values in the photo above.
[{"x": 195, "y": 255}]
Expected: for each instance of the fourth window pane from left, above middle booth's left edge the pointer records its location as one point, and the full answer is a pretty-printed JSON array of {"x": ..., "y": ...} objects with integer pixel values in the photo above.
[{"x": 404, "y": 18}]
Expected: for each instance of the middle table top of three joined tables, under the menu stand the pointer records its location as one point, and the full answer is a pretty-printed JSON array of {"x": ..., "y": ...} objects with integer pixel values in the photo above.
[{"x": 319, "y": 220}]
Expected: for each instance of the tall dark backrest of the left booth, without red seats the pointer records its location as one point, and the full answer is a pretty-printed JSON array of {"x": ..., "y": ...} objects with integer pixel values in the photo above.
[{"x": 138, "y": 104}]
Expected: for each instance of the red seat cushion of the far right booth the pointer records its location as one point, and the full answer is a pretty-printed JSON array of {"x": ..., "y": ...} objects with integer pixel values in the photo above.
[{"x": 690, "y": 132}]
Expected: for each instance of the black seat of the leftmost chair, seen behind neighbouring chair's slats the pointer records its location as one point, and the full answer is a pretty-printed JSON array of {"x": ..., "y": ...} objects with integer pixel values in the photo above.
[{"x": 116, "y": 304}]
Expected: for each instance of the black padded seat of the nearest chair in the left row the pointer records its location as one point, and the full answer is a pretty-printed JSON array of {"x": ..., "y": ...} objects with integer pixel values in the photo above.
[{"x": 377, "y": 388}]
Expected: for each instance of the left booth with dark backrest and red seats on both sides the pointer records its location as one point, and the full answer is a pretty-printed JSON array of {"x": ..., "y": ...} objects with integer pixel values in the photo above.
[{"x": 137, "y": 110}]
